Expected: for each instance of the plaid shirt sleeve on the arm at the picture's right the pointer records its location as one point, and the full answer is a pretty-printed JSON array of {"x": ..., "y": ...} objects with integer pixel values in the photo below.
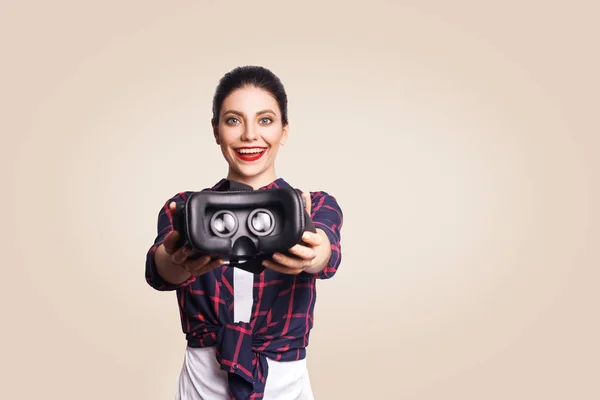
[{"x": 327, "y": 215}]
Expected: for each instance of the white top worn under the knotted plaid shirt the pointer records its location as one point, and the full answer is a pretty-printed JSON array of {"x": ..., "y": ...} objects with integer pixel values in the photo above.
[{"x": 201, "y": 377}]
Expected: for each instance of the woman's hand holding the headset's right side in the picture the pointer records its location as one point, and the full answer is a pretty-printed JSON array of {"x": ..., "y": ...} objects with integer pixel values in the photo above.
[{"x": 310, "y": 256}]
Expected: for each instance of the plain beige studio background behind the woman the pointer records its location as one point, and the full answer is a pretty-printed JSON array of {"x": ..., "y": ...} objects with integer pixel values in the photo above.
[{"x": 460, "y": 139}]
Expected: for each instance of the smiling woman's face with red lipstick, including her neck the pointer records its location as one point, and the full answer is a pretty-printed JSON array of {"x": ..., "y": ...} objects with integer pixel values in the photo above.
[{"x": 250, "y": 131}]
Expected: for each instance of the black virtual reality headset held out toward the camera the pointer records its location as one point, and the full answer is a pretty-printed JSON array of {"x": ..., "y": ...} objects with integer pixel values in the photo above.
[{"x": 242, "y": 226}]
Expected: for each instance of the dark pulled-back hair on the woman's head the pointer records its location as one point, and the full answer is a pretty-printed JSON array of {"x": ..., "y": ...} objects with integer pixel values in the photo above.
[{"x": 250, "y": 75}]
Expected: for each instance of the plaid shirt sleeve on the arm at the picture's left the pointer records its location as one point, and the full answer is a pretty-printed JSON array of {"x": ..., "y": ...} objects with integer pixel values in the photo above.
[{"x": 164, "y": 226}]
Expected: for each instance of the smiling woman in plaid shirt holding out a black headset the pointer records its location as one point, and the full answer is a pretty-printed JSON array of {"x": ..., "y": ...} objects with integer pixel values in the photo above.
[{"x": 247, "y": 333}]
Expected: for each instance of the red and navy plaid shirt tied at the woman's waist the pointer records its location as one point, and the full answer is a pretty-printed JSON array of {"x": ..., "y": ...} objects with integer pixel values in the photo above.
[{"x": 282, "y": 311}]
